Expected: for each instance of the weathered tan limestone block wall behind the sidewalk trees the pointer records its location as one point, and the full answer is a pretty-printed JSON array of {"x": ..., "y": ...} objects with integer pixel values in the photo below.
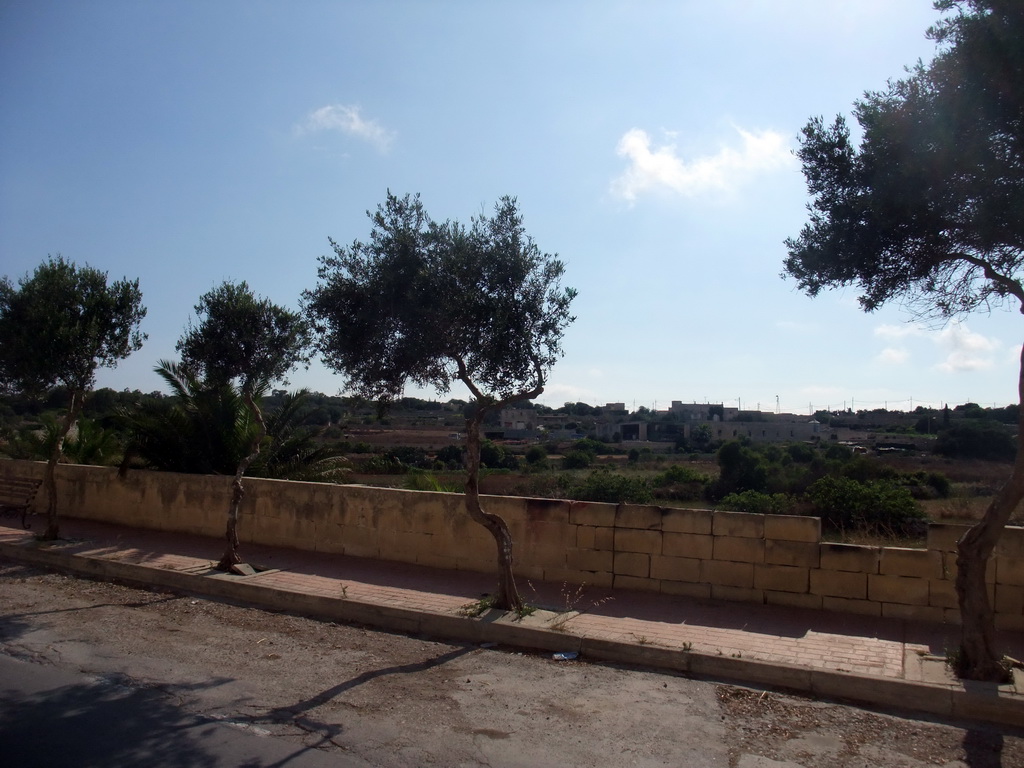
[{"x": 770, "y": 560}]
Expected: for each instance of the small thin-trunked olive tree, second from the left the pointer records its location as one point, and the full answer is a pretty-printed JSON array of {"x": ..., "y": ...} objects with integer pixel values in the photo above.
[{"x": 243, "y": 340}]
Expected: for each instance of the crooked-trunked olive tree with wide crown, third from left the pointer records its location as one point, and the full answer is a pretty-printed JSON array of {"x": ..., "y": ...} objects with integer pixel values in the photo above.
[{"x": 439, "y": 304}]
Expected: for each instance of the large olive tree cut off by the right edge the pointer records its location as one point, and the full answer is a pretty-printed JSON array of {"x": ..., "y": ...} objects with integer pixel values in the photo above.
[{"x": 927, "y": 211}]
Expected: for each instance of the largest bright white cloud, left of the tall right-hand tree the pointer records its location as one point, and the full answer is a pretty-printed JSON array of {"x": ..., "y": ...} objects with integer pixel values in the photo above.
[{"x": 662, "y": 167}]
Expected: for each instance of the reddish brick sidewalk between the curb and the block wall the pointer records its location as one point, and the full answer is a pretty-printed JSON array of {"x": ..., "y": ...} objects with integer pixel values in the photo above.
[{"x": 654, "y": 626}]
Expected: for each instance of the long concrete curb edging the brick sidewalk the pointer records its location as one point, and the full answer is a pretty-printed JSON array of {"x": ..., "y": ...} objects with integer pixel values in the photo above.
[{"x": 970, "y": 701}]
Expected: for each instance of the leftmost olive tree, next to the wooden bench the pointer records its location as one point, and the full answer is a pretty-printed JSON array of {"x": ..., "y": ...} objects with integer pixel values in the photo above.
[{"x": 57, "y": 328}]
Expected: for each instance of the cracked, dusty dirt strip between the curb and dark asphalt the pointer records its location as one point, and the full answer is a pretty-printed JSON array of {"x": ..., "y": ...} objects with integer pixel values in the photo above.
[{"x": 397, "y": 701}]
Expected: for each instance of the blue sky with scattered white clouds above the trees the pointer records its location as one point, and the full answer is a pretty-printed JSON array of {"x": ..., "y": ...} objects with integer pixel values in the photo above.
[{"x": 650, "y": 146}]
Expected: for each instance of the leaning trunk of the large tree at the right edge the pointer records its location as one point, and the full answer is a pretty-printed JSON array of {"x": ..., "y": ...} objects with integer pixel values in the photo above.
[{"x": 979, "y": 659}]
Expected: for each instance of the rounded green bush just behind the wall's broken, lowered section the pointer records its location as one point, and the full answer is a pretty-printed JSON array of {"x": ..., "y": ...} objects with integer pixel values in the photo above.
[{"x": 877, "y": 506}]
